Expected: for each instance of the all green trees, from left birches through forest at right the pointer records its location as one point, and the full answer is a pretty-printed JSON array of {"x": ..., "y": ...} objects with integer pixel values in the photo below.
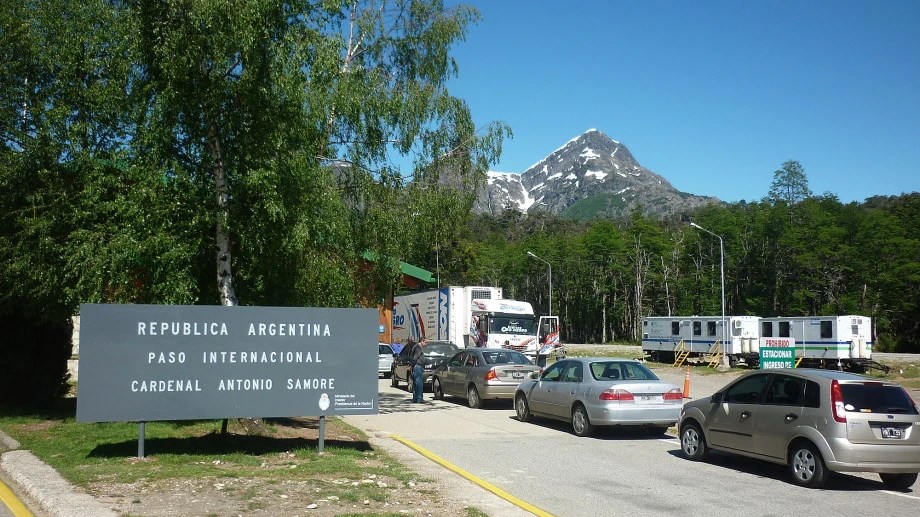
[{"x": 249, "y": 151}]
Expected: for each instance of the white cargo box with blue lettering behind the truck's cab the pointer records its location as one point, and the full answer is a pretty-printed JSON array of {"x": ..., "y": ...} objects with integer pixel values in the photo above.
[{"x": 439, "y": 314}]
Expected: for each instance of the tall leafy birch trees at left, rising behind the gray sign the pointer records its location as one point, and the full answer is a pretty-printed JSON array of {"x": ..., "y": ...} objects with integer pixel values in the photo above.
[{"x": 228, "y": 151}]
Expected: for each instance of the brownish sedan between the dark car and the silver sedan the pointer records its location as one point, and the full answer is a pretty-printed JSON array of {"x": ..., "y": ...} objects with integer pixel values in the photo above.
[{"x": 481, "y": 374}]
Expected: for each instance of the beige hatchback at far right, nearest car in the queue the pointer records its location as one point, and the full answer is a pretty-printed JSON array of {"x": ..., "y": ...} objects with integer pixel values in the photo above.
[{"x": 813, "y": 421}]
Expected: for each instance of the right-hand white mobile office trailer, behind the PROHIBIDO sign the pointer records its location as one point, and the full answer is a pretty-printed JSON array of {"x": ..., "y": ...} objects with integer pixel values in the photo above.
[{"x": 825, "y": 341}]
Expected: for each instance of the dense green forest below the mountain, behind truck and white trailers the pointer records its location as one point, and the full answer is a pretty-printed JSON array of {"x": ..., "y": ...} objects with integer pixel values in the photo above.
[{"x": 816, "y": 256}]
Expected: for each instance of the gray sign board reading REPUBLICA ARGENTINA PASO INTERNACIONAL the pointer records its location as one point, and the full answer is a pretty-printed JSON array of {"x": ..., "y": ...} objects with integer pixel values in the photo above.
[{"x": 185, "y": 362}]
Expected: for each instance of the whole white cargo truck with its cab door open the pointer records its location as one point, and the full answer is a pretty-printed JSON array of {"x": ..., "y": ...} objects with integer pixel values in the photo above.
[{"x": 475, "y": 316}]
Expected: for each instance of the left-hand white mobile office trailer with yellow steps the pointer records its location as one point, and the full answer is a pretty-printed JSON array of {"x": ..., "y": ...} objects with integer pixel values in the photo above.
[{"x": 663, "y": 335}]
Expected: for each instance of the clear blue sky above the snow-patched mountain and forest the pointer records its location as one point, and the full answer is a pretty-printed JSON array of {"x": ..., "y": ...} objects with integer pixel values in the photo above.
[{"x": 712, "y": 95}]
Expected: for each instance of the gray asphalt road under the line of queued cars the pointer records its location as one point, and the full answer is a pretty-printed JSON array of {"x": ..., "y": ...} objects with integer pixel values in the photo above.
[{"x": 617, "y": 472}]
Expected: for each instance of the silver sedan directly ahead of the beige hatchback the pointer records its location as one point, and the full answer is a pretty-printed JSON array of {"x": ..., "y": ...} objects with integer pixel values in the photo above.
[{"x": 599, "y": 391}]
